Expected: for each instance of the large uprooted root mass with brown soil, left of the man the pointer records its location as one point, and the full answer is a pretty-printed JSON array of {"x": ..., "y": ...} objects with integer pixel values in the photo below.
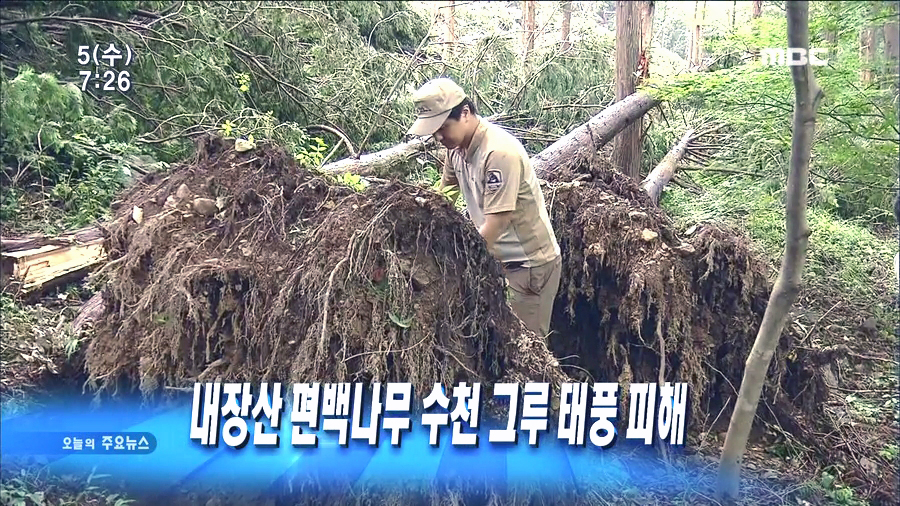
[{"x": 246, "y": 267}]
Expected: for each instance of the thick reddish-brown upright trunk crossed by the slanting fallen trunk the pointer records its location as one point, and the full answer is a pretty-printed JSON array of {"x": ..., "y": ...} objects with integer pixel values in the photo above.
[{"x": 627, "y": 145}]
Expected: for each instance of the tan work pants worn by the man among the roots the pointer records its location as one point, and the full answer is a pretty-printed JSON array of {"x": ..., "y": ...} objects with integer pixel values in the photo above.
[{"x": 533, "y": 291}]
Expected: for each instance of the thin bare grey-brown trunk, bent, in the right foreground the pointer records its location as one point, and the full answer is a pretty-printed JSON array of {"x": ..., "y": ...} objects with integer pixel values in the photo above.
[{"x": 807, "y": 96}]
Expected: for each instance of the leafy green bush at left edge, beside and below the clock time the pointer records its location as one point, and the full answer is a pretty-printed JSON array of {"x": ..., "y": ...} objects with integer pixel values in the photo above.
[{"x": 52, "y": 146}]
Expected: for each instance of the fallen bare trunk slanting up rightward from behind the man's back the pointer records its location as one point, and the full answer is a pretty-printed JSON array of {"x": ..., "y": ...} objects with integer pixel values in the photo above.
[{"x": 580, "y": 144}]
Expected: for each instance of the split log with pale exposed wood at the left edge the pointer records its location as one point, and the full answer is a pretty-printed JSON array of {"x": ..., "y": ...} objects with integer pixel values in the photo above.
[{"x": 38, "y": 263}]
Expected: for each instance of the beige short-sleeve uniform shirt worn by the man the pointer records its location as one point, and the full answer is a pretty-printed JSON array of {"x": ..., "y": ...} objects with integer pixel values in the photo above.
[{"x": 495, "y": 176}]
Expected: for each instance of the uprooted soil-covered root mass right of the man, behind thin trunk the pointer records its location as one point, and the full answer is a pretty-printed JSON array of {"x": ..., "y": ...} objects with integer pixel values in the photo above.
[{"x": 632, "y": 287}]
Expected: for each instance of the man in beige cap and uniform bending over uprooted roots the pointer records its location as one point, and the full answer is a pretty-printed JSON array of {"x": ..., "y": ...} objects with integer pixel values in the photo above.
[{"x": 502, "y": 194}]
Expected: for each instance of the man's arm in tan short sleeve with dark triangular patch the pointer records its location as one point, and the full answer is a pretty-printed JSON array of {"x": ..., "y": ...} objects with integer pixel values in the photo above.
[{"x": 503, "y": 174}]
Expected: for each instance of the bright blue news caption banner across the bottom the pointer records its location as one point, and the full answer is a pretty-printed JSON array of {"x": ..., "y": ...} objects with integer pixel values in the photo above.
[{"x": 192, "y": 443}]
